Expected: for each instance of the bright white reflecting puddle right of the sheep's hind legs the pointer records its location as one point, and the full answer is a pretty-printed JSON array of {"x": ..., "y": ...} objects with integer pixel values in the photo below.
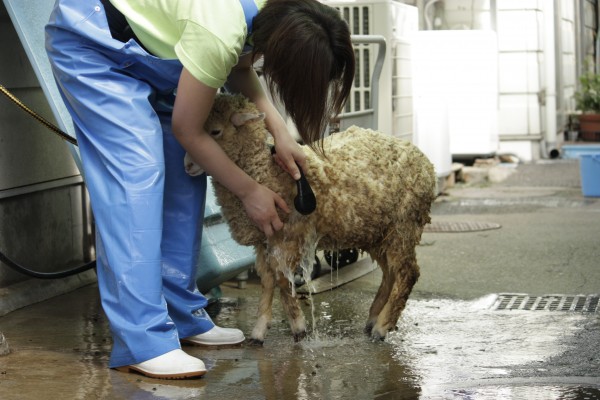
[{"x": 450, "y": 345}]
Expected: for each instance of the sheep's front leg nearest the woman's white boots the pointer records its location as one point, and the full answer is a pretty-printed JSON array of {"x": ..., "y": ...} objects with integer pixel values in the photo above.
[{"x": 265, "y": 305}]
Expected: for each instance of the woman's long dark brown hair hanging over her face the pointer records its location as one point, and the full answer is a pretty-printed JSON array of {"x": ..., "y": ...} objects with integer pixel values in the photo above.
[{"x": 308, "y": 61}]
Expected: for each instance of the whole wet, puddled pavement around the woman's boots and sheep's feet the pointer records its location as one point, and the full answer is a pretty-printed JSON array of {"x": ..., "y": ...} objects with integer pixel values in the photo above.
[{"x": 443, "y": 349}]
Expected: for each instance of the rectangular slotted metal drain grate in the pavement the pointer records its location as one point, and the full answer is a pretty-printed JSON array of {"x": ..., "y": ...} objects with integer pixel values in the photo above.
[{"x": 554, "y": 302}]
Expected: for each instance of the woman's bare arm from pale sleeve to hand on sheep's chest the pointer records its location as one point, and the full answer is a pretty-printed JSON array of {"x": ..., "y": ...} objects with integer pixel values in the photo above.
[{"x": 192, "y": 106}]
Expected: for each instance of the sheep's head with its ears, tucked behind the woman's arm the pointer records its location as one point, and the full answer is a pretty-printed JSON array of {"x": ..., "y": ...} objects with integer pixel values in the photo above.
[{"x": 228, "y": 114}]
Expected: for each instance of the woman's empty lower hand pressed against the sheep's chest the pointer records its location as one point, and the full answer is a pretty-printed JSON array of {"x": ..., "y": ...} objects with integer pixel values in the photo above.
[{"x": 261, "y": 206}]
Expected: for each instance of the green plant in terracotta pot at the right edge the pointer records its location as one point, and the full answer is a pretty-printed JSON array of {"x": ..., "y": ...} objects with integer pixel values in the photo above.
[{"x": 587, "y": 100}]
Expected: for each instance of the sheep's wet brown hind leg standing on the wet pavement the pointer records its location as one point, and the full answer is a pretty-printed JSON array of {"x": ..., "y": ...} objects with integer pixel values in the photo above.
[{"x": 405, "y": 274}]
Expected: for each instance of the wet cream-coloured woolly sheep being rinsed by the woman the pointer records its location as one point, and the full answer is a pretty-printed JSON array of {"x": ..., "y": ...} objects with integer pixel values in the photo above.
[{"x": 374, "y": 193}]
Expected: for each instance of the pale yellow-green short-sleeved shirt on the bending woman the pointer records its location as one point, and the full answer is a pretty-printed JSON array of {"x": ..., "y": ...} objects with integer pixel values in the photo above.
[{"x": 207, "y": 36}]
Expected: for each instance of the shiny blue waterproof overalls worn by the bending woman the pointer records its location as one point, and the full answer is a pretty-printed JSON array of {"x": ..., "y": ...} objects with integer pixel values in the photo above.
[{"x": 148, "y": 211}]
